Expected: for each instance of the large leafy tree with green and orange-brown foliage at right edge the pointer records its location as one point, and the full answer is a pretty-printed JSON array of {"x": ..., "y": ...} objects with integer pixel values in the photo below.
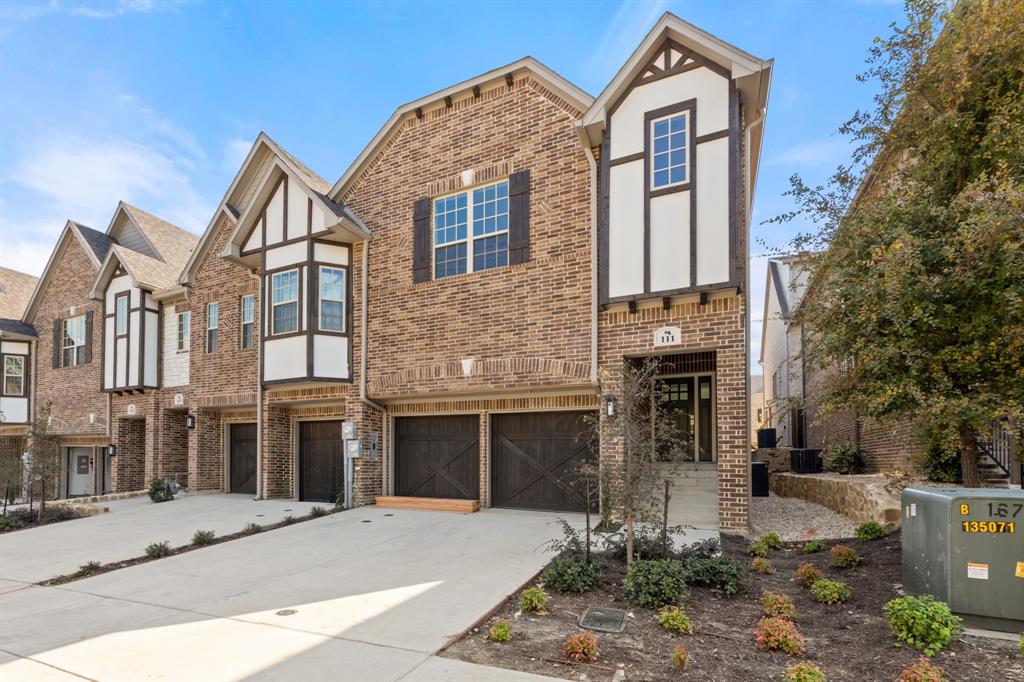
[{"x": 918, "y": 246}]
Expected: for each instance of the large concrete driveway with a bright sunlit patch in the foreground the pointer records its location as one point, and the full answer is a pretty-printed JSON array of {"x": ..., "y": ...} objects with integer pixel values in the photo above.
[{"x": 368, "y": 594}]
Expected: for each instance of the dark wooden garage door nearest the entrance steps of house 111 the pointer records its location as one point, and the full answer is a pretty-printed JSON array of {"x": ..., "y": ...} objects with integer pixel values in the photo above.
[{"x": 535, "y": 459}]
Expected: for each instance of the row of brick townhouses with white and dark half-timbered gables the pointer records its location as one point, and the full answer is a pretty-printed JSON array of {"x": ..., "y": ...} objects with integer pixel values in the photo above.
[{"x": 440, "y": 322}]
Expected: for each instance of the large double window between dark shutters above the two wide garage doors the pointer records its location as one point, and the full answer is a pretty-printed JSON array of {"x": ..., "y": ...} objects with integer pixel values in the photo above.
[{"x": 487, "y": 210}]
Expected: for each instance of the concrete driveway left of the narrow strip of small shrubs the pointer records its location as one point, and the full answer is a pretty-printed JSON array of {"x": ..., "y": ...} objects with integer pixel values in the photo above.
[{"x": 131, "y": 526}]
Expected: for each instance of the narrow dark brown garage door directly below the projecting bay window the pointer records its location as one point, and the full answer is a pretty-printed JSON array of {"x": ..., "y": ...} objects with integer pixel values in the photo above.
[{"x": 322, "y": 461}]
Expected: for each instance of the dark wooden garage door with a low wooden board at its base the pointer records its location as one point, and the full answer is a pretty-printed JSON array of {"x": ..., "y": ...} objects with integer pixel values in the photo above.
[{"x": 438, "y": 457}]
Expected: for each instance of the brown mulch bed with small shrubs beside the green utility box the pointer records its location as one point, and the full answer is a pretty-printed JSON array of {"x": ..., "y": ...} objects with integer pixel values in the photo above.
[{"x": 850, "y": 642}]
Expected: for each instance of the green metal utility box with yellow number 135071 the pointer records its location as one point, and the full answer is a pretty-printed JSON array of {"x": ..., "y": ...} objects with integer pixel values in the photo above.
[{"x": 966, "y": 547}]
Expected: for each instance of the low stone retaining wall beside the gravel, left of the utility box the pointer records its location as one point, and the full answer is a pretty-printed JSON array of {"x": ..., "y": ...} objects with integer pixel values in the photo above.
[{"x": 861, "y": 498}]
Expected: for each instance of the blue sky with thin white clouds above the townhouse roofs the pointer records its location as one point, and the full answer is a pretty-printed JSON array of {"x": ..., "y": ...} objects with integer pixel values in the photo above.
[{"x": 157, "y": 103}]
